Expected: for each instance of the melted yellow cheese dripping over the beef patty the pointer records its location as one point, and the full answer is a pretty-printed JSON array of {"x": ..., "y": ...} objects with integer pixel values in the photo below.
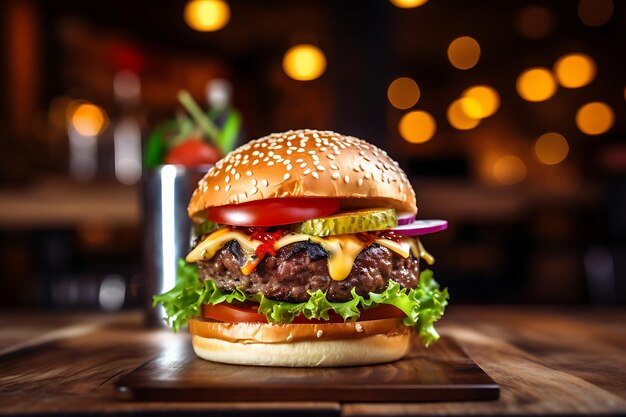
[{"x": 342, "y": 249}]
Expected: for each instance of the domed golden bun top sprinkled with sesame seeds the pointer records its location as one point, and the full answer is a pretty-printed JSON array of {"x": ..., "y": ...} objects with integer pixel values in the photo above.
[{"x": 306, "y": 163}]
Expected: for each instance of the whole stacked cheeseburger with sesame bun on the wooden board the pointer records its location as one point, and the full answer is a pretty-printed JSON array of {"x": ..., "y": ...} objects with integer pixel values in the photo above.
[{"x": 306, "y": 254}]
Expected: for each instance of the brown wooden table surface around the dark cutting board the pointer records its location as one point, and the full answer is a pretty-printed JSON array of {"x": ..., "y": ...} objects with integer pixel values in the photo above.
[{"x": 547, "y": 361}]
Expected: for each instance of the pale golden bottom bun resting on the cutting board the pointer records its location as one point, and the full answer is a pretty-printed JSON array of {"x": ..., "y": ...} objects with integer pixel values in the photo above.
[{"x": 382, "y": 347}]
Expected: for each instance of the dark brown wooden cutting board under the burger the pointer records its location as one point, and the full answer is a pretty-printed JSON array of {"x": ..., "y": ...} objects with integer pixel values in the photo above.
[{"x": 442, "y": 372}]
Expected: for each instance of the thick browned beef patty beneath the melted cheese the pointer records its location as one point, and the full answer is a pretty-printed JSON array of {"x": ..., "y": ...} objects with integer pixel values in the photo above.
[{"x": 303, "y": 266}]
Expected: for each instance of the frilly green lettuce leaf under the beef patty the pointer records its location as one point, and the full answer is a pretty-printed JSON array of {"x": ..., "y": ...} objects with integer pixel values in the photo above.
[{"x": 423, "y": 305}]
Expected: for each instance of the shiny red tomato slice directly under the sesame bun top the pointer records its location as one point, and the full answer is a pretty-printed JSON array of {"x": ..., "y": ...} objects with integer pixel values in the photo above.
[{"x": 273, "y": 212}]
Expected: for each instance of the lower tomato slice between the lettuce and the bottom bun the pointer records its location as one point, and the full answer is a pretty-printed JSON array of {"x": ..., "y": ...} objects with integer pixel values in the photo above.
[{"x": 236, "y": 314}]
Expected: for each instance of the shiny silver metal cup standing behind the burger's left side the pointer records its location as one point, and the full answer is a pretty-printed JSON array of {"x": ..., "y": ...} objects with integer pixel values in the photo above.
[{"x": 166, "y": 193}]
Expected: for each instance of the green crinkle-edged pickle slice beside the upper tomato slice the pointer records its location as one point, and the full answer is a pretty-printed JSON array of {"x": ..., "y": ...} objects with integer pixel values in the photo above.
[{"x": 350, "y": 222}]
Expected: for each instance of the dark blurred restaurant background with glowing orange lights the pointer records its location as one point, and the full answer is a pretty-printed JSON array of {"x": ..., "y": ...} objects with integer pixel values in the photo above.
[{"x": 509, "y": 118}]
